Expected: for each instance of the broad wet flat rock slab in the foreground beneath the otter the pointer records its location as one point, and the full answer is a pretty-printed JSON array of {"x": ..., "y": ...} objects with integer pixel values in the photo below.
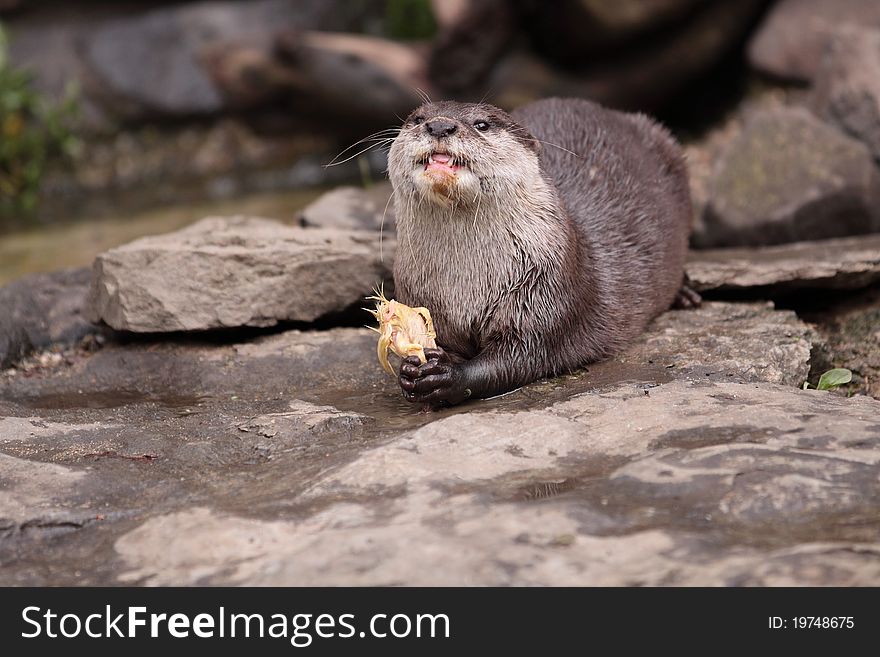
[{"x": 291, "y": 458}]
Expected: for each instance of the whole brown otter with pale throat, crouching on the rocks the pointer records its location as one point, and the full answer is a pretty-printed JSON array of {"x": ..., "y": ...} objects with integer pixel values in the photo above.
[{"x": 540, "y": 240}]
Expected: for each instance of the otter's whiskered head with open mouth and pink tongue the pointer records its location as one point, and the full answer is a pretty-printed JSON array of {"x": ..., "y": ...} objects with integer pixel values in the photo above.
[{"x": 452, "y": 153}]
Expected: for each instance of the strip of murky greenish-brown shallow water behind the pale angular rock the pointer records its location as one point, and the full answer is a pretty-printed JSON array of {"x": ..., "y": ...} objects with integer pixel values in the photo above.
[{"x": 76, "y": 243}]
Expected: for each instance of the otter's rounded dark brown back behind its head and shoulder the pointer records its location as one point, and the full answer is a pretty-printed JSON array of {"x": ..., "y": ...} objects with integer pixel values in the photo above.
[{"x": 626, "y": 188}]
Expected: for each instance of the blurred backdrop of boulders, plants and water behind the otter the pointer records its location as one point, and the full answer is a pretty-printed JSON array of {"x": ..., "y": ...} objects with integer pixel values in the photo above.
[{"x": 125, "y": 118}]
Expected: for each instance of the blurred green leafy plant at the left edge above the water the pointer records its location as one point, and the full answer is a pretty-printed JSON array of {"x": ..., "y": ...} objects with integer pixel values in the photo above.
[{"x": 33, "y": 130}]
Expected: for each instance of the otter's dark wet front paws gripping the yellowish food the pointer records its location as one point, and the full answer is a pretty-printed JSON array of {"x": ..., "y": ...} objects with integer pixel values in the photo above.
[{"x": 437, "y": 382}]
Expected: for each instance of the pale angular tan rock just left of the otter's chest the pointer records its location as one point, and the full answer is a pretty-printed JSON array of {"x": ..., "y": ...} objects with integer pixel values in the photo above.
[{"x": 231, "y": 272}]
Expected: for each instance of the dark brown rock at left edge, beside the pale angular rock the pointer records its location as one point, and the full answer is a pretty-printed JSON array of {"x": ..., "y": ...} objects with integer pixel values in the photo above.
[{"x": 41, "y": 310}]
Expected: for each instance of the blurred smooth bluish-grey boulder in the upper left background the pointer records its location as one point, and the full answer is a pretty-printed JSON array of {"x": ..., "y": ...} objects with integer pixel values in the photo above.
[{"x": 152, "y": 64}]
